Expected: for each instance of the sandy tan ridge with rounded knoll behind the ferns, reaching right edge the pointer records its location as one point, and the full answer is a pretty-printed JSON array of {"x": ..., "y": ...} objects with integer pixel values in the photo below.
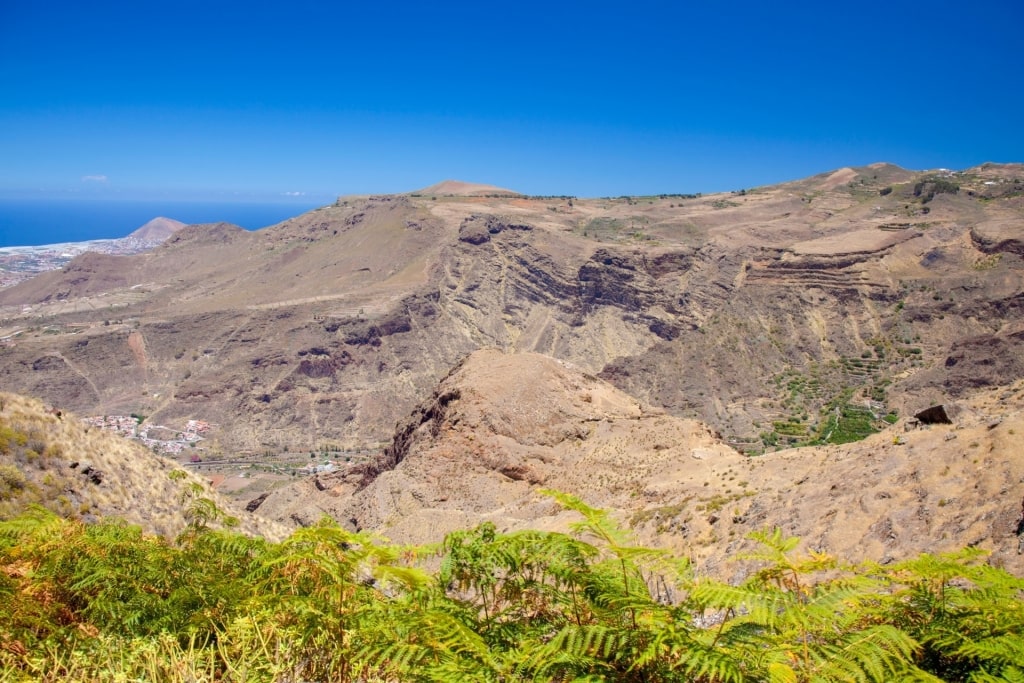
[{"x": 502, "y": 426}]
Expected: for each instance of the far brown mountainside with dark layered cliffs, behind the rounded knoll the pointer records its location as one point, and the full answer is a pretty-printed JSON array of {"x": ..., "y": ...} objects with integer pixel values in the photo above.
[{"x": 751, "y": 312}]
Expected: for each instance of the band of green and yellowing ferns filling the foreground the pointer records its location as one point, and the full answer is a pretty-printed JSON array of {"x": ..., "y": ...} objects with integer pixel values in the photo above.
[{"x": 108, "y": 603}]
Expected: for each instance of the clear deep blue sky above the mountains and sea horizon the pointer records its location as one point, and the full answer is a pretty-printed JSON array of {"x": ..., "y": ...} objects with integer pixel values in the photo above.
[{"x": 245, "y": 100}]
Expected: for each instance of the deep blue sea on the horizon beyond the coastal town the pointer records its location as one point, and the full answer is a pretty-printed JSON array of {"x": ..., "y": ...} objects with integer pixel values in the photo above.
[{"x": 33, "y": 223}]
